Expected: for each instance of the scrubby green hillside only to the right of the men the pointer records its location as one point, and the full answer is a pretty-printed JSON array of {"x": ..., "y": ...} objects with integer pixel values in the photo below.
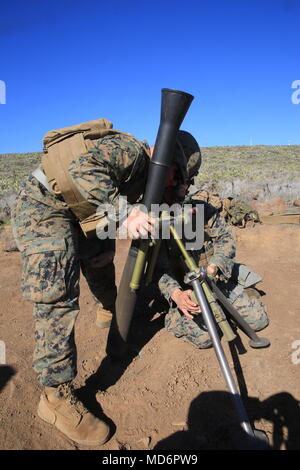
[{"x": 260, "y": 171}]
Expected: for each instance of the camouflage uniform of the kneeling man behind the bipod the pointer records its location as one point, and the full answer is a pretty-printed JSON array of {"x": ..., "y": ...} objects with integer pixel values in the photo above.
[{"x": 218, "y": 248}]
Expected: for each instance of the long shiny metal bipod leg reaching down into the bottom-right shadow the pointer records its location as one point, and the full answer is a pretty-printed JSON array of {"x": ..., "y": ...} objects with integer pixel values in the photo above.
[{"x": 192, "y": 278}]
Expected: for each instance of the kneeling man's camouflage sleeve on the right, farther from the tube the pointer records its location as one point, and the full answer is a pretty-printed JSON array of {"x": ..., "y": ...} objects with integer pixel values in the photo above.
[{"x": 220, "y": 236}]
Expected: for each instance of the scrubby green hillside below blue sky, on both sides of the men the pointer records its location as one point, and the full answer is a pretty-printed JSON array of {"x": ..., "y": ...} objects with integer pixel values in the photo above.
[{"x": 226, "y": 170}]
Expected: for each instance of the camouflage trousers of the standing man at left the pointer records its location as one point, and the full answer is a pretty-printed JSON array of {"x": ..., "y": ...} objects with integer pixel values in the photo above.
[{"x": 54, "y": 249}]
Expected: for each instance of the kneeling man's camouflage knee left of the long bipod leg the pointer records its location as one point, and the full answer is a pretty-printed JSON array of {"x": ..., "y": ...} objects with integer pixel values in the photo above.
[{"x": 192, "y": 331}]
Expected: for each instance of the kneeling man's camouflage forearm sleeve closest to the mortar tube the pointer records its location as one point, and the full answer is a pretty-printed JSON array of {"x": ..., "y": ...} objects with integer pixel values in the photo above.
[{"x": 163, "y": 274}]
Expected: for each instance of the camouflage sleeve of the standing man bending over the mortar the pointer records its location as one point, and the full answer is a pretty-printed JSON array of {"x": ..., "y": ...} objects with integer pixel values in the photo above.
[{"x": 100, "y": 173}]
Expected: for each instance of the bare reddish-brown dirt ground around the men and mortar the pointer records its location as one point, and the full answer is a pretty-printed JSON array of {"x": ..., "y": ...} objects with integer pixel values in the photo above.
[{"x": 171, "y": 396}]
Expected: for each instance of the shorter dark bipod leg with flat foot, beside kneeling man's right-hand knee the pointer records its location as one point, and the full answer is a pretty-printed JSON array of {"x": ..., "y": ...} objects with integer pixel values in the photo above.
[{"x": 255, "y": 341}]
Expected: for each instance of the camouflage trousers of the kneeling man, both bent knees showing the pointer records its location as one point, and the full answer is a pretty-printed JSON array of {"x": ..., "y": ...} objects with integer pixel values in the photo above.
[{"x": 247, "y": 303}]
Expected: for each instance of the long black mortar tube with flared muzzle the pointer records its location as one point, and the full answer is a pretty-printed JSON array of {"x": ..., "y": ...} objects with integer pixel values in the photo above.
[{"x": 174, "y": 106}]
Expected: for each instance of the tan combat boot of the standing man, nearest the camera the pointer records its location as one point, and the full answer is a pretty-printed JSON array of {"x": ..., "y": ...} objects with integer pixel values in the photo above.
[{"x": 60, "y": 406}]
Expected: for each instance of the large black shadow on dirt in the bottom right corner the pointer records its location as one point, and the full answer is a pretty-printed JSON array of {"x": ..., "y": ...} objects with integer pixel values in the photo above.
[{"x": 210, "y": 409}]
